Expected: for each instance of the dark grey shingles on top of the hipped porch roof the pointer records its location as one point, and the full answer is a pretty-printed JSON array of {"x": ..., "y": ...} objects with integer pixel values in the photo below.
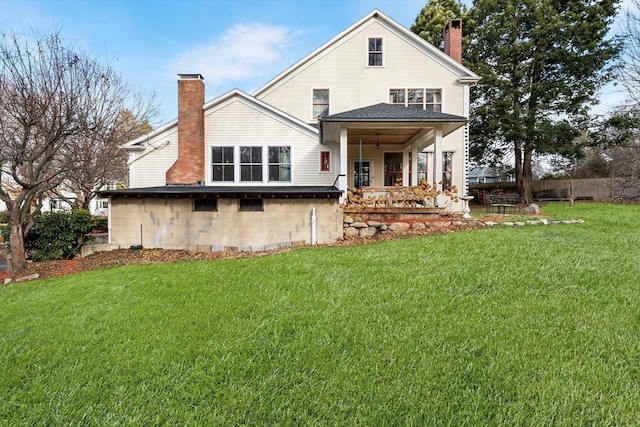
[{"x": 393, "y": 113}]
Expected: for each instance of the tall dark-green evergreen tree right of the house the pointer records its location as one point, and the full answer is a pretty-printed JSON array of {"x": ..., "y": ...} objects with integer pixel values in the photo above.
[{"x": 542, "y": 63}]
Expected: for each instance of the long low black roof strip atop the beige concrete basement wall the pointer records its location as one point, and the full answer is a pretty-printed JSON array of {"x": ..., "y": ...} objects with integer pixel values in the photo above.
[{"x": 204, "y": 191}]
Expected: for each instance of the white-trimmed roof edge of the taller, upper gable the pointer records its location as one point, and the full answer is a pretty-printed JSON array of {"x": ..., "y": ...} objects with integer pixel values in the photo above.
[{"x": 465, "y": 76}]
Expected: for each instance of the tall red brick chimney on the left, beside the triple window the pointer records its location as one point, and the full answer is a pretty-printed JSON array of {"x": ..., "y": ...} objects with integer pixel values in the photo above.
[{"x": 189, "y": 168}]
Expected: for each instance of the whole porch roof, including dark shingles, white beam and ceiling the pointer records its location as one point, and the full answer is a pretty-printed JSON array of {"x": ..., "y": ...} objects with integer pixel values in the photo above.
[{"x": 391, "y": 123}]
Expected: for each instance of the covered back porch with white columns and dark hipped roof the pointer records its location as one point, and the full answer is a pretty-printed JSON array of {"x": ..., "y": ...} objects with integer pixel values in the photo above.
[{"x": 386, "y": 146}]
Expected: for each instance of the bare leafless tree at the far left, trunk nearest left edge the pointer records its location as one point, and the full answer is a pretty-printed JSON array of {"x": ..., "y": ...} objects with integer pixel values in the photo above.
[{"x": 51, "y": 97}]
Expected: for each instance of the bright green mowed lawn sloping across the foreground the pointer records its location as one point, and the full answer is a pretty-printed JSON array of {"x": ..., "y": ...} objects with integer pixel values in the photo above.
[{"x": 536, "y": 325}]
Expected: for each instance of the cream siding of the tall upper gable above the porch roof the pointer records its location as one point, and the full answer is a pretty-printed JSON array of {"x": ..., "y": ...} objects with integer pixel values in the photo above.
[{"x": 343, "y": 68}]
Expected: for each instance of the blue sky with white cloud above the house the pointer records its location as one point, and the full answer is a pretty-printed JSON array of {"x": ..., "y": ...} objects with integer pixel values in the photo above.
[{"x": 232, "y": 43}]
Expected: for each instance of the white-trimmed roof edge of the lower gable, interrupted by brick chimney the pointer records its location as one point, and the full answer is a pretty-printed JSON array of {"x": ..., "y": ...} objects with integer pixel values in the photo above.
[{"x": 138, "y": 144}]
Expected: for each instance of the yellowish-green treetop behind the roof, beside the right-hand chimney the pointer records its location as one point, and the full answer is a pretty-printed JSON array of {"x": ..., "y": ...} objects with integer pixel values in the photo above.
[{"x": 433, "y": 17}]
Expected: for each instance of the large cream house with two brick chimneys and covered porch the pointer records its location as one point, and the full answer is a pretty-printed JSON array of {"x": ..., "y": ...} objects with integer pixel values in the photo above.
[{"x": 376, "y": 106}]
